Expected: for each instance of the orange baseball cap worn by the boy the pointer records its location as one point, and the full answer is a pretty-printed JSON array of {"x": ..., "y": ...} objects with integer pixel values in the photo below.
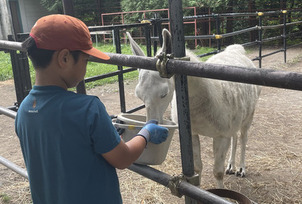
[{"x": 57, "y": 32}]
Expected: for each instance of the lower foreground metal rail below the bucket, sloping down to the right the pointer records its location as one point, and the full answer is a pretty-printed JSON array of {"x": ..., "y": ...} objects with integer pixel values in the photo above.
[{"x": 183, "y": 187}]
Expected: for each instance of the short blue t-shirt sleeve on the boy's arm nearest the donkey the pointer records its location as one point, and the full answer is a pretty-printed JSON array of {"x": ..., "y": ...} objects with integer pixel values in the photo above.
[{"x": 103, "y": 134}]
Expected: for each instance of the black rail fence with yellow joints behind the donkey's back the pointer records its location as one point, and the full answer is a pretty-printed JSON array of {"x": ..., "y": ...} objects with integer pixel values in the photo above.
[{"x": 260, "y": 41}]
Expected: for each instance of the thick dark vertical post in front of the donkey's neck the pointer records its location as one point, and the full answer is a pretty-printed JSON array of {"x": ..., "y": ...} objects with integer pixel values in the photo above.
[{"x": 181, "y": 87}]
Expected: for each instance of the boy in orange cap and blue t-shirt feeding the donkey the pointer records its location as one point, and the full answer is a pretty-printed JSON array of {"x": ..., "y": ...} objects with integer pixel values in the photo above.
[{"x": 69, "y": 144}]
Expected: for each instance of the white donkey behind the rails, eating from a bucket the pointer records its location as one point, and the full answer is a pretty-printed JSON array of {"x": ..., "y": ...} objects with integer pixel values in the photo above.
[{"x": 218, "y": 109}]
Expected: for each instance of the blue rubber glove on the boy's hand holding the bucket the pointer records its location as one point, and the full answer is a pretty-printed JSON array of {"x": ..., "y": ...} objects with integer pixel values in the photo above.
[{"x": 153, "y": 132}]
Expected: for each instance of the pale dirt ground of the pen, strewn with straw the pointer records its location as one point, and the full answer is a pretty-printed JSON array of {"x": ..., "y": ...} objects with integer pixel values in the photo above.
[{"x": 273, "y": 157}]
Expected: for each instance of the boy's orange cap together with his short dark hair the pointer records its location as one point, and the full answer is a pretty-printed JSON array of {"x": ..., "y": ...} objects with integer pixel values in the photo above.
[{"x": 57, "y": 32}]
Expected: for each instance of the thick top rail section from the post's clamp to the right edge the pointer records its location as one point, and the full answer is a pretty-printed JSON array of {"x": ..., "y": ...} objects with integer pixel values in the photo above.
[{"x": 265, "y": 77}]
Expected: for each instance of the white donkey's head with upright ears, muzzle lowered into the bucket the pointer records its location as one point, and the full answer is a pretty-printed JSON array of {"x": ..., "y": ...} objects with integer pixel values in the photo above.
[{"x": 156, "y": 92}]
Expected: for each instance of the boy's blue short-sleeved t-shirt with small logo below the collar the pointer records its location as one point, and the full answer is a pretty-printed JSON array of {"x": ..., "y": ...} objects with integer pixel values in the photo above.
[{"x": 62, "y": 136}]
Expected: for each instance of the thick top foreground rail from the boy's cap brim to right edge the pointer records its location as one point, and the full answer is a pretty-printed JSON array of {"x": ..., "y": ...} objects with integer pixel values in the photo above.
[{"x": 264, "y": 77}]
